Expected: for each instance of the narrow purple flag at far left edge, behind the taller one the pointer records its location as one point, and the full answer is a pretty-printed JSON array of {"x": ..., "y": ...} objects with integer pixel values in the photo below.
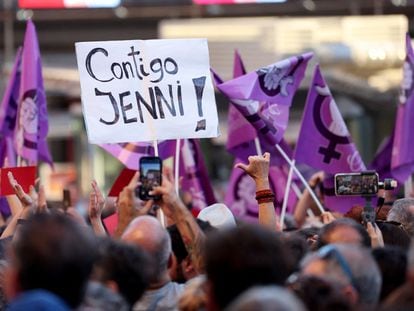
[{"x": 8, "y": 110}]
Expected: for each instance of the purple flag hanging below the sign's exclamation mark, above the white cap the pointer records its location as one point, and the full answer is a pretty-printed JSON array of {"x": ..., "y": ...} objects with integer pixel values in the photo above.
[{"x": 195, "y": 180}]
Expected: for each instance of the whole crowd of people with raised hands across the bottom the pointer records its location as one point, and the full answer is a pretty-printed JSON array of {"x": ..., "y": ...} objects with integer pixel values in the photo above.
[{"x": 166, "y": 259}]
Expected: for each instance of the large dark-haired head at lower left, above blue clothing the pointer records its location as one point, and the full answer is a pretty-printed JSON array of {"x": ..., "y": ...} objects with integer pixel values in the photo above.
[{"x": 52, "y": 253}]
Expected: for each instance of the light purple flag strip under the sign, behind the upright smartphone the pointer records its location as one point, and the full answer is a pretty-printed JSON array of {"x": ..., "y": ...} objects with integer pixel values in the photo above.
[{"x": 130, "y": 153}]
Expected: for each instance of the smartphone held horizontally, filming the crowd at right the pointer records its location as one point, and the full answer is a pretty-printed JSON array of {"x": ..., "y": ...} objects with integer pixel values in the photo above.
[{"x": 362, "y": 184}]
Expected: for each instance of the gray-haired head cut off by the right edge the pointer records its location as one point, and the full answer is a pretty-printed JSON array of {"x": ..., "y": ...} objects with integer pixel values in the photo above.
[{"x": 402, "y": 211}]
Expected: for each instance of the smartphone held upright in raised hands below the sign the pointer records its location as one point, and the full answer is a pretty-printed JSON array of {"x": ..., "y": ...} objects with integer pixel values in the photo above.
[{"x": 150, "y": 169}]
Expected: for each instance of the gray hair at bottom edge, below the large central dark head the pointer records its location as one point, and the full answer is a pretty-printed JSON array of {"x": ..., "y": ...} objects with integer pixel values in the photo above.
[{"x": 266, "y": 298}]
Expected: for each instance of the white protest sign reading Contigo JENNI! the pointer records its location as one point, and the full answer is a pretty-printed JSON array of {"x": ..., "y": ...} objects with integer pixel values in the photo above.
[{"x": 141, "y": 90}]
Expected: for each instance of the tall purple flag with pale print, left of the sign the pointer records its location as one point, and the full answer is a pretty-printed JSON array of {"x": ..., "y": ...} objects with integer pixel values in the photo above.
[{"x": 32, "y": 122}]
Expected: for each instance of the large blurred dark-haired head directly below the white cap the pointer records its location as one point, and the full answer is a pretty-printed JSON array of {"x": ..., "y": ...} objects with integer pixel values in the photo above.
[{"x": 241, "y": 257}]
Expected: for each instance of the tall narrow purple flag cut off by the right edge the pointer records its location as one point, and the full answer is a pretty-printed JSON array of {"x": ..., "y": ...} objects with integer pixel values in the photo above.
[{"x": 402, "y": 161}]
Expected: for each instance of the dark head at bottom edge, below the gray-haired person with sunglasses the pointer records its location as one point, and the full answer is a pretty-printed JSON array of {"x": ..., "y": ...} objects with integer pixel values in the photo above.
[{"x": 320, "y": 294}]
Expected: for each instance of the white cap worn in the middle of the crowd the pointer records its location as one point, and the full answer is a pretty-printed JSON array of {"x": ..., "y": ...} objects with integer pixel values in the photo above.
[{"x": 218, "y": 215}]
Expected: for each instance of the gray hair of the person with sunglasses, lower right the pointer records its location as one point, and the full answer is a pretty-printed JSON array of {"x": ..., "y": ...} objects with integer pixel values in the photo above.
[{"x": 366, "y": 275}]
